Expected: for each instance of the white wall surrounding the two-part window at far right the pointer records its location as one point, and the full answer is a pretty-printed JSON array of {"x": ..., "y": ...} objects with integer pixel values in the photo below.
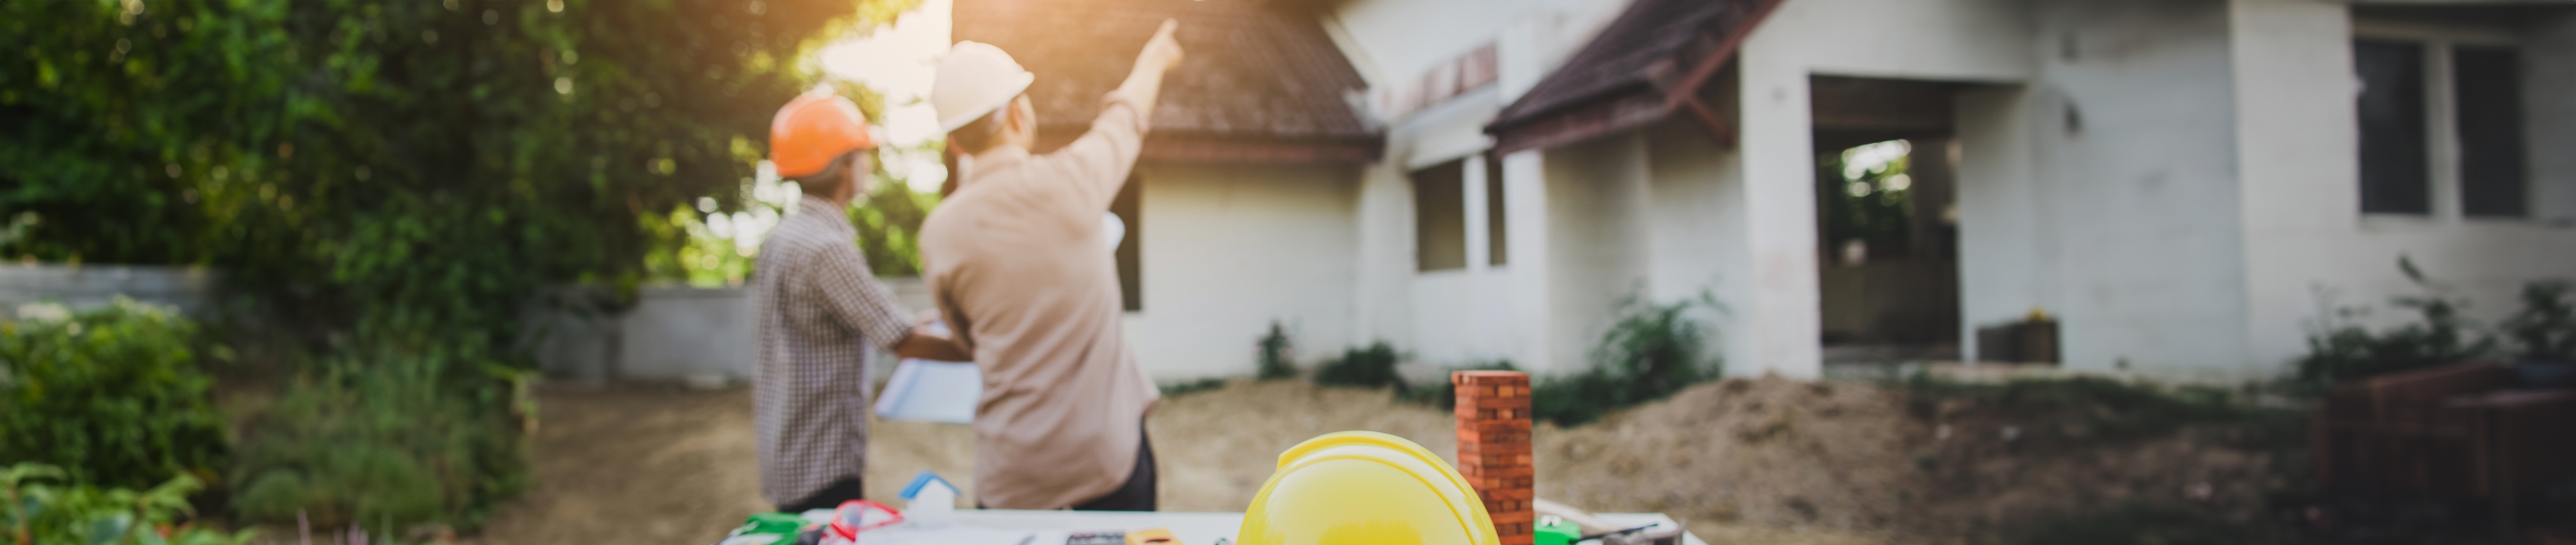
[{"x": 2302, "y": 204}]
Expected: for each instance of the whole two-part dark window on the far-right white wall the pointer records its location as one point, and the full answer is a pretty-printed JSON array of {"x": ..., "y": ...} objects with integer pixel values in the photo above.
[{"x": 2441, "y": 125}]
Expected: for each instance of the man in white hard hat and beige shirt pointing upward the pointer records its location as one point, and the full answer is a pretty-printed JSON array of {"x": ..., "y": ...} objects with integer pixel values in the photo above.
[{"x": 1016, "y": 266}]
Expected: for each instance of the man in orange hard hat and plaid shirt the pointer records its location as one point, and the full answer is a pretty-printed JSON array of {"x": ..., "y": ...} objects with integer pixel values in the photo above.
[{"x": 823, "y": 315}]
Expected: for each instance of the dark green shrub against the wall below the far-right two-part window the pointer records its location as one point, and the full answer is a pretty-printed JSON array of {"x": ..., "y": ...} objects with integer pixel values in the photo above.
[{"x": 2340, "y": 348}]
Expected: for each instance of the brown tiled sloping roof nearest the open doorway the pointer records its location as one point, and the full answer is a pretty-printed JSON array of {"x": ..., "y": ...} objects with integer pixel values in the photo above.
[{"x": 1645, "y": 53}]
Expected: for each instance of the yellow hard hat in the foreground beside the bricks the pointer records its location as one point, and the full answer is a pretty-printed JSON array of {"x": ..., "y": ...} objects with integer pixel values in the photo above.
[{"x": 1367, "y": 490}]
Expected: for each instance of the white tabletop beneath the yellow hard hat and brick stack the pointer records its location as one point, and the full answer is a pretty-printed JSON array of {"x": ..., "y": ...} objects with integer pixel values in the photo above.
[{"x": 1194, "y": 528}]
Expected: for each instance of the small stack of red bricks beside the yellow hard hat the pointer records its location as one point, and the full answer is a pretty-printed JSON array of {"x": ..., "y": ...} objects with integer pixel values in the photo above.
[{"x": 1495, "y": 449}]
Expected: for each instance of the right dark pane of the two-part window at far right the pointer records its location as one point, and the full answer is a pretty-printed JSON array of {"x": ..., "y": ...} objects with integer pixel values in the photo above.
[{"x": 2490, "y": 112}]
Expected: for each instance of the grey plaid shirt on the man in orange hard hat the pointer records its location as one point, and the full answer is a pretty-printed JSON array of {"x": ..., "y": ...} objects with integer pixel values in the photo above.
[{"x": 820, "y": 312}]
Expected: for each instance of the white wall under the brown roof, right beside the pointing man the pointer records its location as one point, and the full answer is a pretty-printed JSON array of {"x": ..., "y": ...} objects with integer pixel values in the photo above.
[{"x": 1227, "y": 251}]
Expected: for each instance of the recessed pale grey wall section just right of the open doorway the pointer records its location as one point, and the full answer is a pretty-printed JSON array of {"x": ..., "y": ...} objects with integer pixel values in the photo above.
[{"x": 2137, "y": 143}]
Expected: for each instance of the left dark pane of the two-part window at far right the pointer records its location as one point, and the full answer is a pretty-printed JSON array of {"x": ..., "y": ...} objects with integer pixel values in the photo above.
[{"x": 2397, "y": 174}]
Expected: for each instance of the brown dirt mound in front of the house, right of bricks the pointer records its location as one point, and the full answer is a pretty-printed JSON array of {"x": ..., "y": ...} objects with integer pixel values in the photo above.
[{"x": 1866, "y": 459}]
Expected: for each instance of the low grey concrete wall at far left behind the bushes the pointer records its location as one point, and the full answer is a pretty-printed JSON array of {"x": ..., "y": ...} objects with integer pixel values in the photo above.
[{"x": 89, "y": 287}]
